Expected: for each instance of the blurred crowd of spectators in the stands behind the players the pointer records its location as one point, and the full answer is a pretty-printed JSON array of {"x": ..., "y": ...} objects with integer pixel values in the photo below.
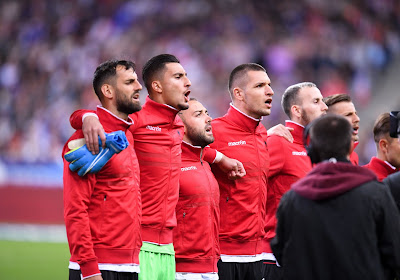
[{"x": 50, "y": 49}]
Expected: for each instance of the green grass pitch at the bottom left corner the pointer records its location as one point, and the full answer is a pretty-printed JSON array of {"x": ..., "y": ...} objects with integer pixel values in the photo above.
[{"x": 33, "y": 260}]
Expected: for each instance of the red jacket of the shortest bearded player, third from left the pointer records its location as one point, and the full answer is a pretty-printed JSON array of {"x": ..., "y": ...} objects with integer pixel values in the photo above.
[{"x": 196, "y": 235}]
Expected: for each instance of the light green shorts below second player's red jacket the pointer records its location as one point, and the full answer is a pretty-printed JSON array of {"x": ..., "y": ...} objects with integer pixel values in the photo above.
[{"x": 157, "y": 262}]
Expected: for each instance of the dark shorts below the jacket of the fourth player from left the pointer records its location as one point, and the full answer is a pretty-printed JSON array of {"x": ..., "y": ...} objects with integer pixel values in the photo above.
[{"x": 240, "y": 271}]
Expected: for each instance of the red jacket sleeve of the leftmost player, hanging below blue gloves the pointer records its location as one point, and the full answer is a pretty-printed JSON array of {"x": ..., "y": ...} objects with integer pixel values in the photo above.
[{"x": 77, "y": 193}]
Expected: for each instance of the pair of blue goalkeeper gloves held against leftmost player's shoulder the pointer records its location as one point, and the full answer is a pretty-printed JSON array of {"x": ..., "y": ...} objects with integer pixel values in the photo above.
[{"x": 84, "y": 161}]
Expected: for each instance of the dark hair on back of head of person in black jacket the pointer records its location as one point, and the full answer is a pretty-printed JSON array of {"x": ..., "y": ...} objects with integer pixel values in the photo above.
[{"x": 330, "y": 137}]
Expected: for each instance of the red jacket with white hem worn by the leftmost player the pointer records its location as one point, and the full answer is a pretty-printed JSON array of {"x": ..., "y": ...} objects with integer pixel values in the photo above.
[{"x": 102, "y": 211}]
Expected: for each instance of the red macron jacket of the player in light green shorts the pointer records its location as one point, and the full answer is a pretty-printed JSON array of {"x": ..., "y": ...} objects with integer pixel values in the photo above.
[{"x": 158, "y": 133}]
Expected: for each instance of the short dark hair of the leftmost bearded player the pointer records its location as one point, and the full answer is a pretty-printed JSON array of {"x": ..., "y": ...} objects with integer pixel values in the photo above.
[{"x": 106, "y": 71}]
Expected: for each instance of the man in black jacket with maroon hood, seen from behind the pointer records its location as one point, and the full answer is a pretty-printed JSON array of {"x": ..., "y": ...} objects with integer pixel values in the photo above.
[{"x": 338, "y": 222}]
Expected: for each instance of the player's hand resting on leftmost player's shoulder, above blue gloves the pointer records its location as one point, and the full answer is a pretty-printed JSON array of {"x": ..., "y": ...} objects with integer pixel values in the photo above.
[{"x": 92, "y": 130}]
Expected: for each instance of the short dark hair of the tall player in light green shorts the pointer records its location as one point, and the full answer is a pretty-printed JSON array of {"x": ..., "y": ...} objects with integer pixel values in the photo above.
[{"x": 154, "y": 66}]
